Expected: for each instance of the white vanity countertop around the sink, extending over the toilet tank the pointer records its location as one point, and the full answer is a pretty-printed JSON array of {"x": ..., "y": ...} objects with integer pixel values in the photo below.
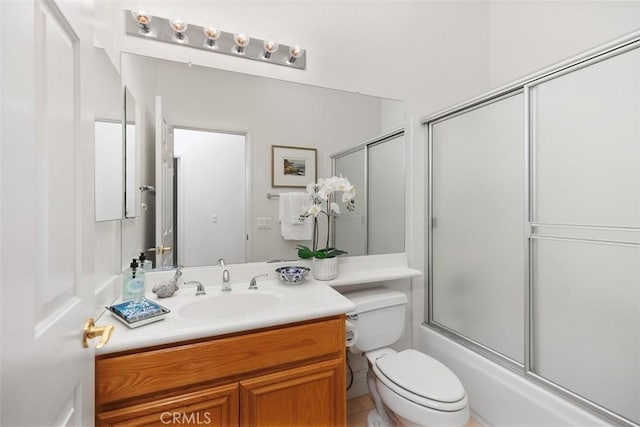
[{"x": 311, "y": 300}]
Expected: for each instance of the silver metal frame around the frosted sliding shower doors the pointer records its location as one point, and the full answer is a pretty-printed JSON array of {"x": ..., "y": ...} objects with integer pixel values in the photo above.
[{"x": 525, "y": 85}]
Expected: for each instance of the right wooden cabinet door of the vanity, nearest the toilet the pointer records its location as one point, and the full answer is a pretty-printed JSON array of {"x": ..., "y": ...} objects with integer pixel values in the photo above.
[{"x": 311, "y": 395}]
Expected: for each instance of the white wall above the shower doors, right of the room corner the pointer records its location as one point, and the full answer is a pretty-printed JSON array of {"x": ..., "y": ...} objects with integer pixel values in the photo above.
[{"x": 526, "y": 36}]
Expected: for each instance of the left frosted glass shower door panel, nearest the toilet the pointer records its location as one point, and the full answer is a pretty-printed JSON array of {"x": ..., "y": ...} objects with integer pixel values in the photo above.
[{"x": 477, "y": 234}]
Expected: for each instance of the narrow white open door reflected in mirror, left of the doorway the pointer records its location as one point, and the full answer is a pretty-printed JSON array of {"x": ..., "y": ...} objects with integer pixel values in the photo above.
[{"x": 164, "y": 189}]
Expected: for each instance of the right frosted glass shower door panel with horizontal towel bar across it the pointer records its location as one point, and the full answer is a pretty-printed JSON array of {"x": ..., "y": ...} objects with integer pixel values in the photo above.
[{"x": 585, "y": 230}]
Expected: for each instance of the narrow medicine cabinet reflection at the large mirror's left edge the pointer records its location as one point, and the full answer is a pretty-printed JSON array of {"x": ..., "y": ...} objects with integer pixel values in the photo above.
[{"x": 132, "y": 194}]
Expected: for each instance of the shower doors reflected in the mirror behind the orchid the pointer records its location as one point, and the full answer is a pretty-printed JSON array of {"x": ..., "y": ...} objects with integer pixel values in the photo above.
[{"x": 379, "y": 169}]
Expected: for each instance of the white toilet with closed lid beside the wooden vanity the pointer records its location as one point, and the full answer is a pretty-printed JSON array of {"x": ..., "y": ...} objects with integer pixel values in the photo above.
[{"x": 408, "y": 387}]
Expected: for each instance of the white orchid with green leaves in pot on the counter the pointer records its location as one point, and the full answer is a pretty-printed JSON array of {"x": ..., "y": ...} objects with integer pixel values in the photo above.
[{"x": 323, "y": 193}]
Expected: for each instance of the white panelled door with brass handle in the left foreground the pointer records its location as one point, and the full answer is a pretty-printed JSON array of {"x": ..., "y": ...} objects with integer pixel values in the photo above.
[{"x": 47, "y": 225}]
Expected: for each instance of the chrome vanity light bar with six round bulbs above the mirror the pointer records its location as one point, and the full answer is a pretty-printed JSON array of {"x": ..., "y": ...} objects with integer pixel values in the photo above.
[{"x": 139, "y": 23}]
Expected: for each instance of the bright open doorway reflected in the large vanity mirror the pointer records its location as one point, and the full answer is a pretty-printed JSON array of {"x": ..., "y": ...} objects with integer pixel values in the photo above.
[{"x": 210, "y": 196}]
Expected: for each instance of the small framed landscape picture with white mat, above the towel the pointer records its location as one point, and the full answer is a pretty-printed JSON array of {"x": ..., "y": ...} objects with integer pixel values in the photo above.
[{"x": 292, "y": 166}]
